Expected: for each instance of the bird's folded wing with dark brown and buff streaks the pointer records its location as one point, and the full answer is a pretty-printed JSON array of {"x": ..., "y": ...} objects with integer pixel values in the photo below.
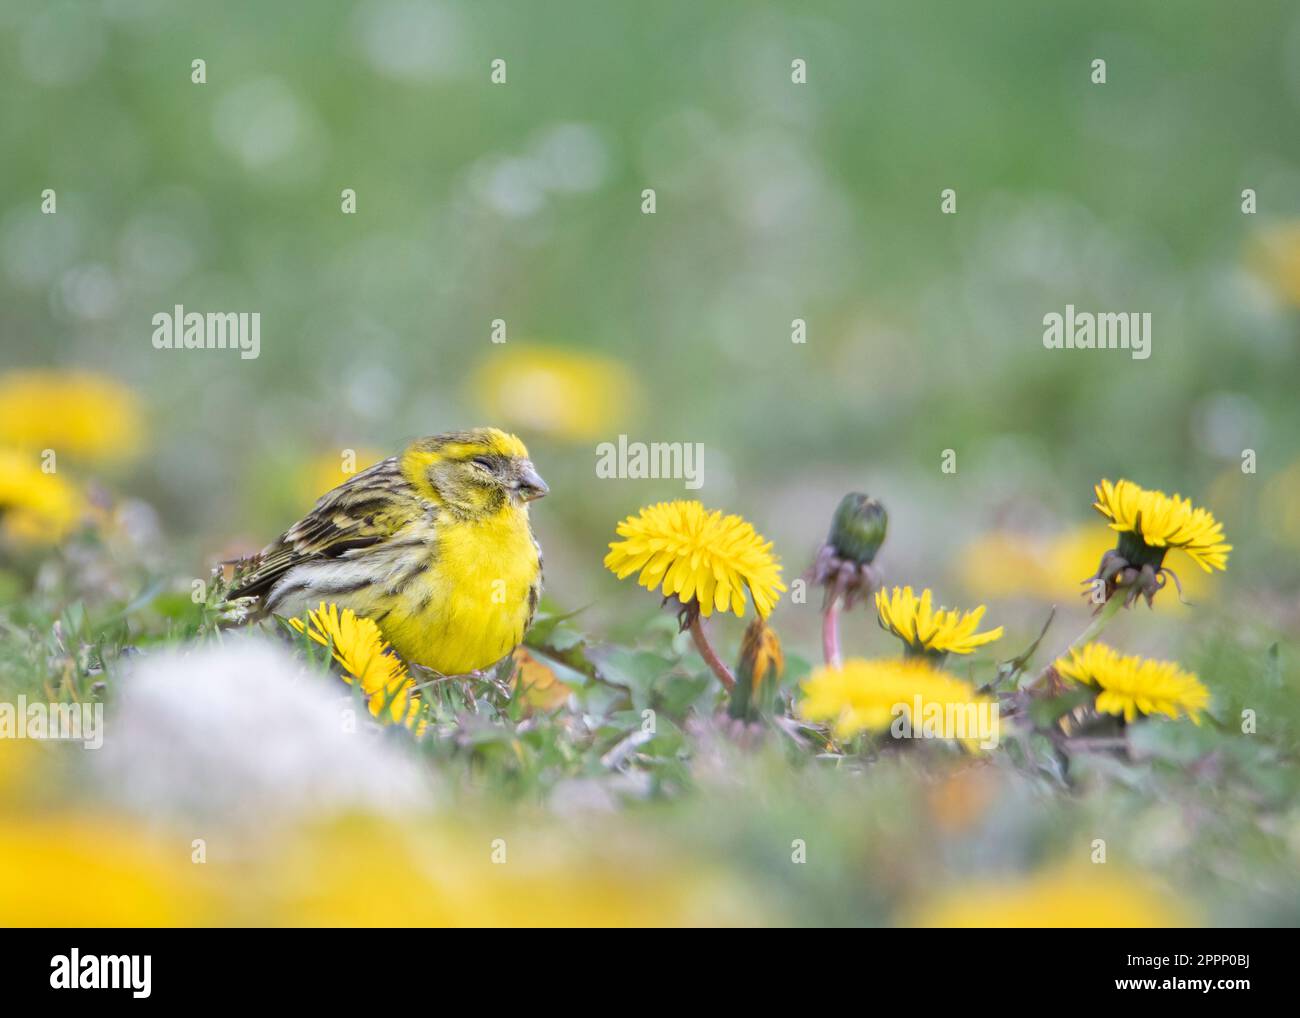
[{"x": 365, "y": 510}]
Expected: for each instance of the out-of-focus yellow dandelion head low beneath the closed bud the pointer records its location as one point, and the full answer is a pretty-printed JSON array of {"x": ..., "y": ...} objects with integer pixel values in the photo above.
[{"x": 868, "y": 696}]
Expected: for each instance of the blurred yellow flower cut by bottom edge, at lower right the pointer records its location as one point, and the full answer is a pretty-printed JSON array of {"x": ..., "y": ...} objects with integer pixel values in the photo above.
[{"x": 1060, "y": 899}]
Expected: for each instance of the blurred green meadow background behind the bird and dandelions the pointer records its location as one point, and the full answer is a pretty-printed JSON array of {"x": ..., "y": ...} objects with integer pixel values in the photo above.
[{"x": 775, "y": 202}]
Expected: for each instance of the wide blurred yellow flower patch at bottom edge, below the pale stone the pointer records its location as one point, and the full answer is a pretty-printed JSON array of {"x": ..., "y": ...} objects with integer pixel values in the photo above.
[{"x": 369, "y": 873}]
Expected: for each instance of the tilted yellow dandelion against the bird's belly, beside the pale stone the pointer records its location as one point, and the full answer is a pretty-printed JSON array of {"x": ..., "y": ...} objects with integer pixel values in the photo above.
[{"x": 358, "y": 646}]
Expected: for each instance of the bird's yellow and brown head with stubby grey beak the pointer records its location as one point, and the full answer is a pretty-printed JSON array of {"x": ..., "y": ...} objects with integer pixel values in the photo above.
[{"x": 474, "y": 473}]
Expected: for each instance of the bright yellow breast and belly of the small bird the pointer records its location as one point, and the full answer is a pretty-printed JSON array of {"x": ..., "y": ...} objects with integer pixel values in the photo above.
[{"x": 470, "y": 608}]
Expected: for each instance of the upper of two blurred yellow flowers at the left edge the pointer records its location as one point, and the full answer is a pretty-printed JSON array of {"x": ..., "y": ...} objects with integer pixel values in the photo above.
[{"x": 80, "y": 414}]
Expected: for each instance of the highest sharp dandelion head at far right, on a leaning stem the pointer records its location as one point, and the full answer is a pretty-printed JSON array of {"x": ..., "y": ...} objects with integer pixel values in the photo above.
[{"x": 1159, "y": 522}]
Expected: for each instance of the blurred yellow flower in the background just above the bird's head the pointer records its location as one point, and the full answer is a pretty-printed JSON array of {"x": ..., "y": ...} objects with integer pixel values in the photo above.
[{"x": 561, "y": 393}]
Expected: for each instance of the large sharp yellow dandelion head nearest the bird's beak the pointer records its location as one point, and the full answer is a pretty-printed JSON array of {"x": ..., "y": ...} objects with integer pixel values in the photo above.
[{"x": 700, "y": 556}]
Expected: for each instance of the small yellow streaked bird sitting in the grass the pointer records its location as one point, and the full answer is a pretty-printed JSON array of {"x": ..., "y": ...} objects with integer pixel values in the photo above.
[{"x": 435, "y": 545}]
